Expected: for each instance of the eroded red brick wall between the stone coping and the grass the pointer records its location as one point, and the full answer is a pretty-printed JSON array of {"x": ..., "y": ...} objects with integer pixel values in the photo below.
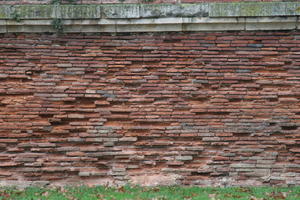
[{"x": 192, "y": 108}]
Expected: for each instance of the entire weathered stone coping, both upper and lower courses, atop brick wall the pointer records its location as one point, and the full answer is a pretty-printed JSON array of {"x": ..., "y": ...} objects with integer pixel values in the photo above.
[{"x": 151, "y": 17}]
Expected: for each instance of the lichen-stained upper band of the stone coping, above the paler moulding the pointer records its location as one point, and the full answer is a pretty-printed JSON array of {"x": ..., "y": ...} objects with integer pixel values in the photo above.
[{"x": 136, "y": 11}]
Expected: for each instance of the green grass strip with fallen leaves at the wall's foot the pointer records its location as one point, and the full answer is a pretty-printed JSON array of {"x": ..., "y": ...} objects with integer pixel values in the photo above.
[{"x": 154, "y": 193}]
